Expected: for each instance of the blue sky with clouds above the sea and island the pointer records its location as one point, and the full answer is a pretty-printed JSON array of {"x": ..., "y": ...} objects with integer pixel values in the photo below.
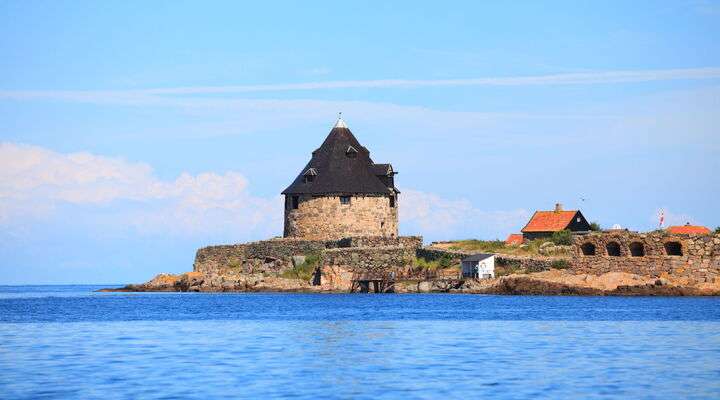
[{"x": 132, "y": 133}]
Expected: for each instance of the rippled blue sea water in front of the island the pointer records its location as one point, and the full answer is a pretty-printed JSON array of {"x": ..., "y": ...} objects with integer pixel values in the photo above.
[{"x": 72, "y": 343}]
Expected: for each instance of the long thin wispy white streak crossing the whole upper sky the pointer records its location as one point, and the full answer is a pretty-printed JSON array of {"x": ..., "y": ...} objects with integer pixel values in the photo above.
[{"x": 582, "y": 78}]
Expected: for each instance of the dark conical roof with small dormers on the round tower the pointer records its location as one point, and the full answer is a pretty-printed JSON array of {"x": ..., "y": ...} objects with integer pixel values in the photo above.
[{"x": 337, "y": 173}]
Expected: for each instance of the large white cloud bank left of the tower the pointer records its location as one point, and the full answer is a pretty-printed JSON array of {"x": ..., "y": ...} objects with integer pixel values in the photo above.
[{"x": 34, "y": 181}]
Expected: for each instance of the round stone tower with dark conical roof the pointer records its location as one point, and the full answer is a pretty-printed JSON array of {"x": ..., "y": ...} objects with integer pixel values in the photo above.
[{"x": 341, "y": 193}]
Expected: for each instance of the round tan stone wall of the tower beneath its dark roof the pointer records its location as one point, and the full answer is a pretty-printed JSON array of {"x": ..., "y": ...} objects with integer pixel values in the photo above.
[{"x": 325, "y": 218}]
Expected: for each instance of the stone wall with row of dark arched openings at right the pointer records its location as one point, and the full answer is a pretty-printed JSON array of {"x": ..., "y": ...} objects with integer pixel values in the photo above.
[{"x": 699, "y": 262}]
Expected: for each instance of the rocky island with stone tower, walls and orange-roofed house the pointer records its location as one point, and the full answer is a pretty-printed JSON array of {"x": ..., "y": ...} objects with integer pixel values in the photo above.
[{"x": 341, "y": 235}]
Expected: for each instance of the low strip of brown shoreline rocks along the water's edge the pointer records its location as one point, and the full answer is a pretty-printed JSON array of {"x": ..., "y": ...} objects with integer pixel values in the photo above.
[{"x": 554, "y": 283}]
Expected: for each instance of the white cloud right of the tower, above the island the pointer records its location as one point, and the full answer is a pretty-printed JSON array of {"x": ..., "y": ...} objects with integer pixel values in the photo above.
[{"x": 439, "y": 218}]
